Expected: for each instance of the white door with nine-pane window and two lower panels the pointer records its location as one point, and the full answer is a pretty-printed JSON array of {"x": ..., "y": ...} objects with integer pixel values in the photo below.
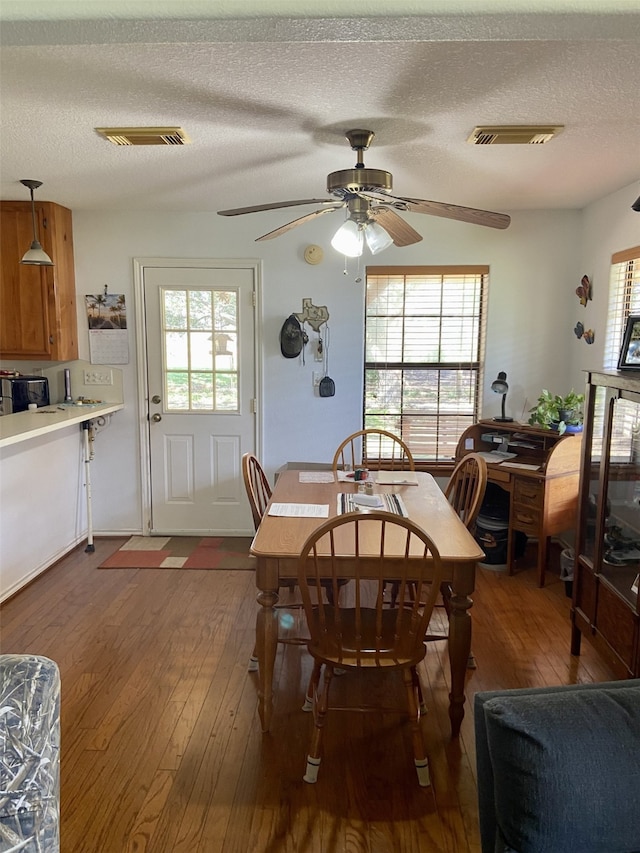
[{"x": 201, "y": 383}]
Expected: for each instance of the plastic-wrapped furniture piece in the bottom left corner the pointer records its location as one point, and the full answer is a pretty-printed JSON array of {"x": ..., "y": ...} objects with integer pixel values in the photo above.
[{"x": 29, "y": 754}]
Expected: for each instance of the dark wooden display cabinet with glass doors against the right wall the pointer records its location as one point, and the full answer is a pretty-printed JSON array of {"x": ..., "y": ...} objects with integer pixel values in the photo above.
[{"x": 605, "y": 605}]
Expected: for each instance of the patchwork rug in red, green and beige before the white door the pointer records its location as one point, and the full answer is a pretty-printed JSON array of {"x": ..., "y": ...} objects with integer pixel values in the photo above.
[{"x": 183, "y": 552}]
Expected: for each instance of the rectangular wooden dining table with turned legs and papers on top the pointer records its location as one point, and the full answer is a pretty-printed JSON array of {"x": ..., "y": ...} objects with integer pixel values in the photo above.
[{"x": 279, "y": 540}]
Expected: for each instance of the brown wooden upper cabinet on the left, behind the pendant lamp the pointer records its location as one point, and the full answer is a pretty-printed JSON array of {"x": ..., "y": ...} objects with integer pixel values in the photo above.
[{"x": 38, "y": 317}]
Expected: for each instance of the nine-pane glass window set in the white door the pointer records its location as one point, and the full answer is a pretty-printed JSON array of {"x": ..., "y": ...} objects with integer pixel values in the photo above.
[{"x": 200, "y": 345}]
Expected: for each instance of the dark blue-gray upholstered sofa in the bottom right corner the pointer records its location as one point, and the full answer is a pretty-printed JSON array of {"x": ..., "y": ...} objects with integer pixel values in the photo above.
[{"x": 559, "y": 768}]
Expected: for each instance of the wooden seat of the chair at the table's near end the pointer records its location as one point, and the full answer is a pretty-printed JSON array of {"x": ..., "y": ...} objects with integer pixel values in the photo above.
[{"x": 366, "y": 645}]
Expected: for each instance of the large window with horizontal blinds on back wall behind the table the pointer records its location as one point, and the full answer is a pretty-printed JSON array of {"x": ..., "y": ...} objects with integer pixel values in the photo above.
[{"x": 424, "y": 340}]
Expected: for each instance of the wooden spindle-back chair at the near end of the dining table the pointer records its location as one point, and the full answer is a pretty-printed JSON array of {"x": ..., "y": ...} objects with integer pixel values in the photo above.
[{"x": 363, "y": 633}]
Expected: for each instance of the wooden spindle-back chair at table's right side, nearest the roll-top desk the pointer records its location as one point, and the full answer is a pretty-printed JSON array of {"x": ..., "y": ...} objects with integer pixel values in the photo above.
[{"x": 465, "y": 492}]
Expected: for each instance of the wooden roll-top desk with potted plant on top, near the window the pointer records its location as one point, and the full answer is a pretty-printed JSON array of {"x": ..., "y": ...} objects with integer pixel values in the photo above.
[{"x": 542, "y": 502}]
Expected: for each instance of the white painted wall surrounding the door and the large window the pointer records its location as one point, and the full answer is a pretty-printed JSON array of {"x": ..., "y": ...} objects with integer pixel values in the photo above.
[{"x": 535, "y": 267}]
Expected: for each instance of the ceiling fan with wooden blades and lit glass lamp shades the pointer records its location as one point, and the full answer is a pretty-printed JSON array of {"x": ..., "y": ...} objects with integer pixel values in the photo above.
[{"x": 366, "y": 195}]
